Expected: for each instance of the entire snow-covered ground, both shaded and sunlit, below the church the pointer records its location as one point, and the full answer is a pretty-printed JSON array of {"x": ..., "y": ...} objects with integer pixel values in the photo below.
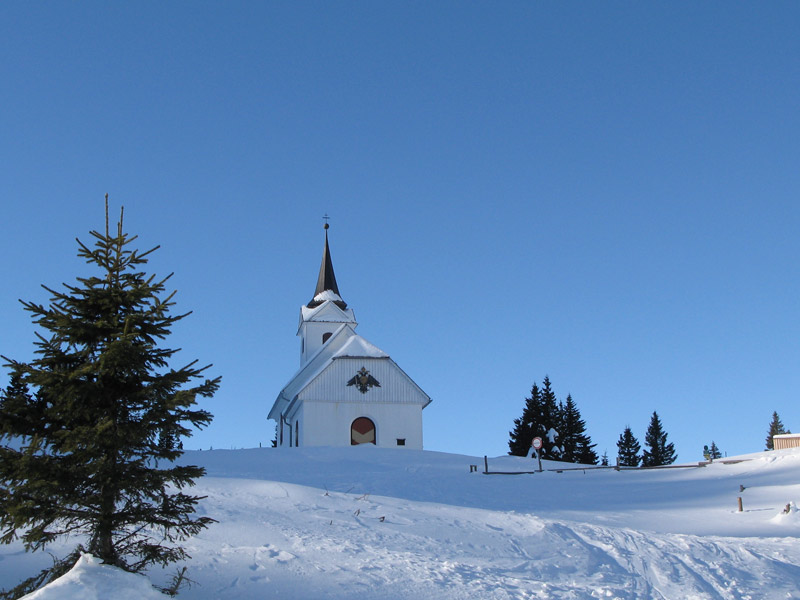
[{"x": 365, "y": 522}]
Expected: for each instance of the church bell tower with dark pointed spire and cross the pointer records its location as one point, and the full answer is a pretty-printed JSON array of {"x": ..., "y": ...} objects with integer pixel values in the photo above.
[{"x": 326, "y": 313}]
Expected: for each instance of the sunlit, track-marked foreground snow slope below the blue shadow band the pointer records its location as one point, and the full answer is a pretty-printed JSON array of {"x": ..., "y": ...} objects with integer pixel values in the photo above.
[{"x": 334, "y": 545}]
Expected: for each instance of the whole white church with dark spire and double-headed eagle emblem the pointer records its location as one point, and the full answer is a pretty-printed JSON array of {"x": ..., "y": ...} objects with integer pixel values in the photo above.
[{"x": 347, "y": 391}]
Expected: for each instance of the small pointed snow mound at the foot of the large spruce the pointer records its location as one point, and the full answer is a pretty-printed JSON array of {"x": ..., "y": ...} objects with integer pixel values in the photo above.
[{"x": 89, "y": 579}]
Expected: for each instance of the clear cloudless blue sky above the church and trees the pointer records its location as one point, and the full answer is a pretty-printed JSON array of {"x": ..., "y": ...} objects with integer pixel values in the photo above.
[{"x": 606, "y": 193}]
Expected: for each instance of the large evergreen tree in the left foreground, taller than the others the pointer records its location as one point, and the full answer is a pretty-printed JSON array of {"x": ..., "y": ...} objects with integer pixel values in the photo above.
[{"x": 100, "y": 431}]
